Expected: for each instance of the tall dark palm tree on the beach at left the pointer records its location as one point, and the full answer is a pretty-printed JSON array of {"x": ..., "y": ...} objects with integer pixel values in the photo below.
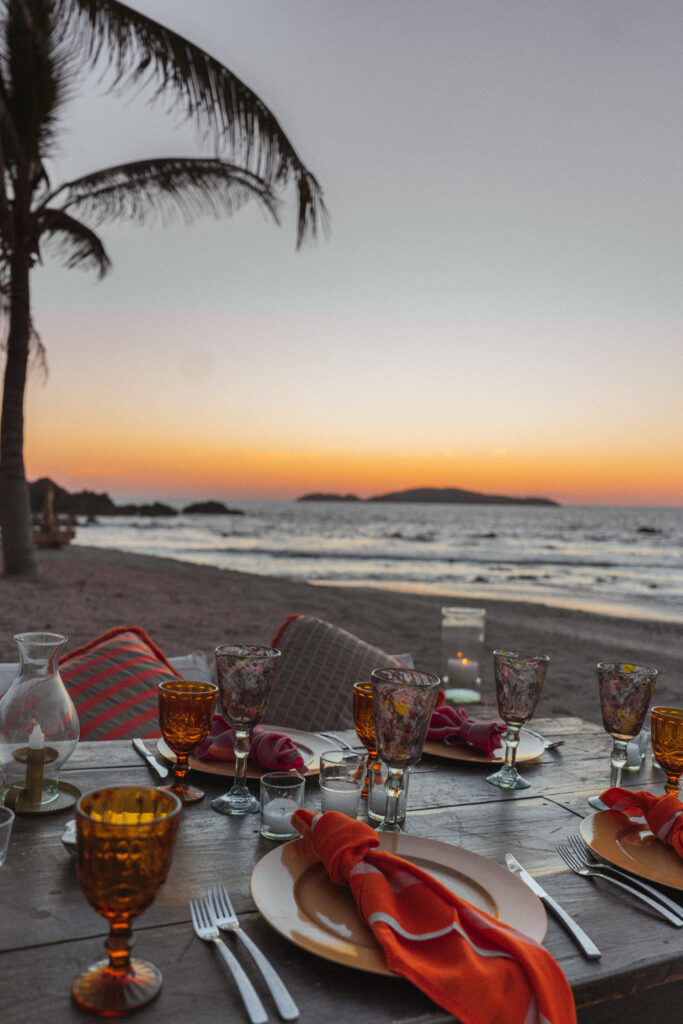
[{"x": 45, "y": 47}]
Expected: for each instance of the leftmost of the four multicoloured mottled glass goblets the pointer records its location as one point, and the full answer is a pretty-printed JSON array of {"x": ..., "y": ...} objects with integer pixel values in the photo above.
[{"x": 246, "y": 673}]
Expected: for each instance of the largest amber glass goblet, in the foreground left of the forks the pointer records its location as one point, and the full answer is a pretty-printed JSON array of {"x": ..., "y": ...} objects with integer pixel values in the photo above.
[{"x": 124, "y": 841}]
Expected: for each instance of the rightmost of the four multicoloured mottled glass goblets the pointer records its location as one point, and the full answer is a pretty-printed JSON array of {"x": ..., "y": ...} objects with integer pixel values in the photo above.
[{"x": 625, "y": 696}]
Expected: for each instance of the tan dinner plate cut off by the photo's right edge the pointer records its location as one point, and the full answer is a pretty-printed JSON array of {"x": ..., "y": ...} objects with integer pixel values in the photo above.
[{"x": 629, "y": 844}]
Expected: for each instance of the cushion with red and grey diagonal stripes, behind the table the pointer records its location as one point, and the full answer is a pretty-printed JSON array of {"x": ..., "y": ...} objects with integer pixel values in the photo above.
[{"x": 113, "y": 682}]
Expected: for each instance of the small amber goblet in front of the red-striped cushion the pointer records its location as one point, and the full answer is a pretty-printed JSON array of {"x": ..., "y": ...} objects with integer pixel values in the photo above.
[{"x": 186, "y": 710}]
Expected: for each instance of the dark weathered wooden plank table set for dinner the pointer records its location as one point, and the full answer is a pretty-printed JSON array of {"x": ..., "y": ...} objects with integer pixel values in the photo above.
[{"x": 49, "y": 932}]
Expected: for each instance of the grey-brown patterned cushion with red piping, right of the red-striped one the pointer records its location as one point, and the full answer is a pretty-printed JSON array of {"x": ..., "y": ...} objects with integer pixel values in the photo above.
[{"x": 315, "y": 680}]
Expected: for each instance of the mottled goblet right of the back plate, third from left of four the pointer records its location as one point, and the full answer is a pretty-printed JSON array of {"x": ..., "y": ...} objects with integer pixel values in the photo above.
[{"x": 520, "y": 677}]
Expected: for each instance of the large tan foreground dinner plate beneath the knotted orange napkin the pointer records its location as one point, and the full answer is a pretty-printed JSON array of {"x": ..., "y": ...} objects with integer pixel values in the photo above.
[{"x": 293, "y": 892}]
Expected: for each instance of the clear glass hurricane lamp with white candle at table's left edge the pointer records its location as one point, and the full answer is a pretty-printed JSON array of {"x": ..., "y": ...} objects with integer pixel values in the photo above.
[{"x": 39, "y": 727}]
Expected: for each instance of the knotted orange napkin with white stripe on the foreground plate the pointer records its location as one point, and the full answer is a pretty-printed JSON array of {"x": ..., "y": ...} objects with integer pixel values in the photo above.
[{"x": 475, "y": 967}]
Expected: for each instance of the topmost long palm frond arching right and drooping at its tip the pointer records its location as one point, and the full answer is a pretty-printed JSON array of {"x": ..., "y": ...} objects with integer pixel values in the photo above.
[{"x": 147, "y": 54}]
